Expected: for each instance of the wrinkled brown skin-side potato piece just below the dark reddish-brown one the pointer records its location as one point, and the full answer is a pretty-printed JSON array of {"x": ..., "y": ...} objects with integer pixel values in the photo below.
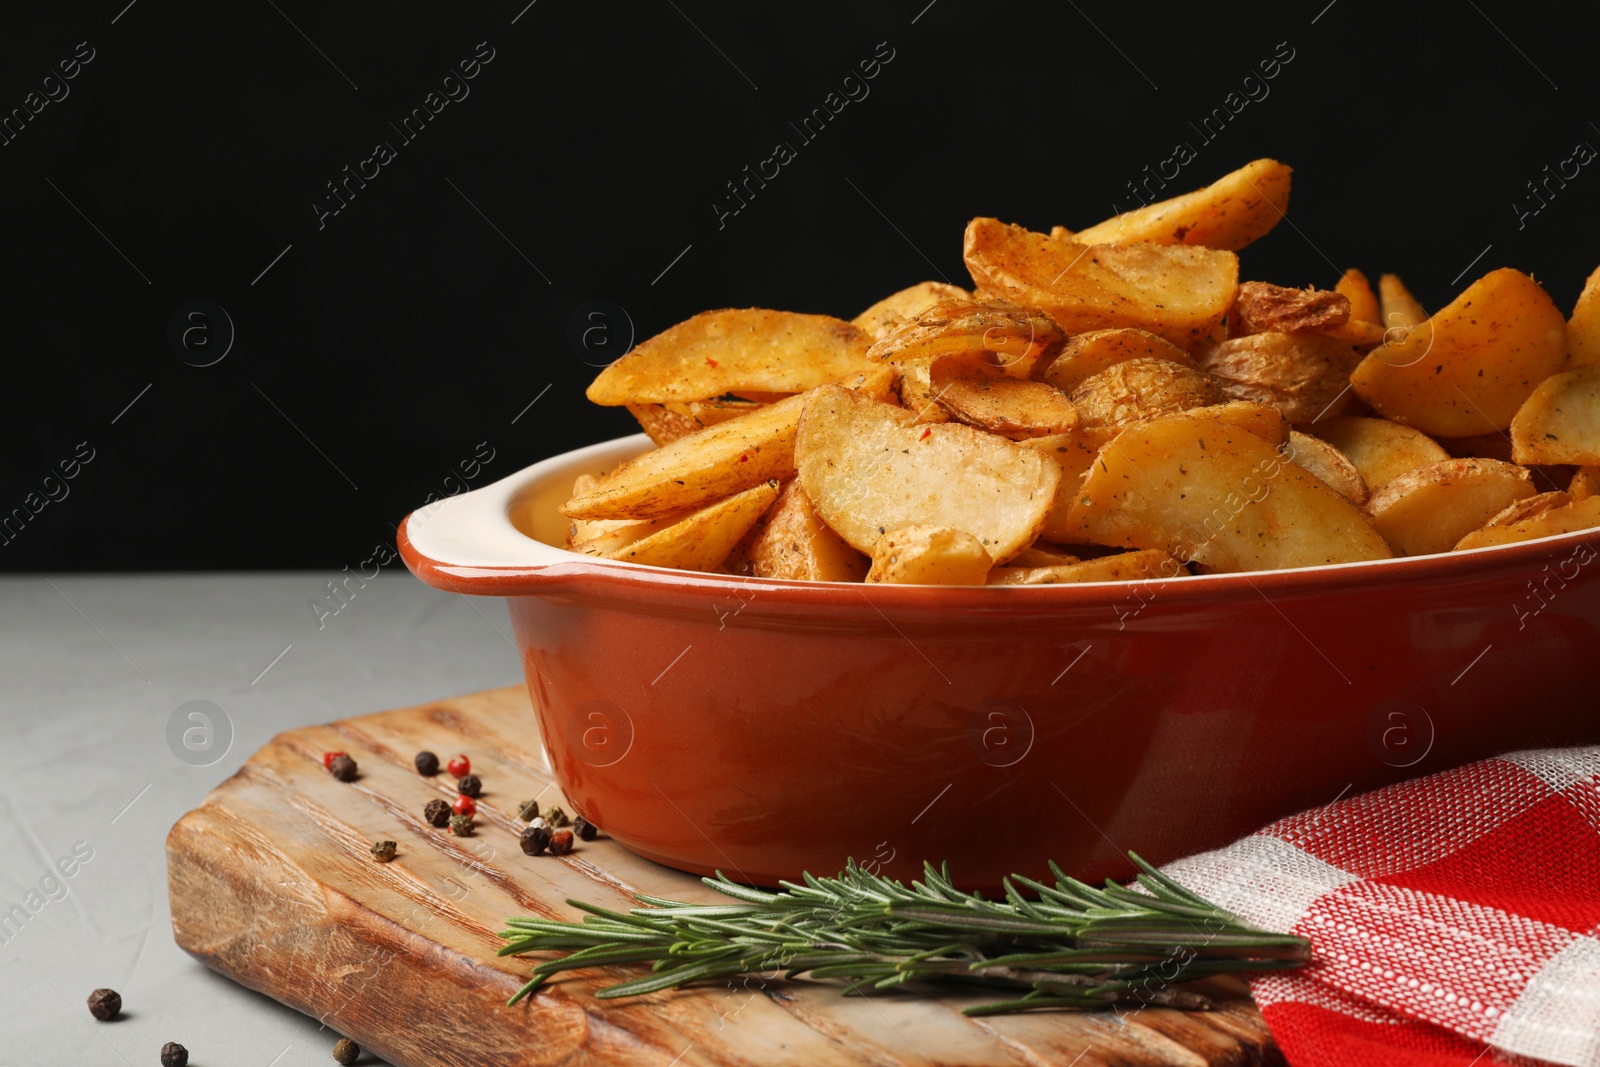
[{"x": 1303, "y": 375}]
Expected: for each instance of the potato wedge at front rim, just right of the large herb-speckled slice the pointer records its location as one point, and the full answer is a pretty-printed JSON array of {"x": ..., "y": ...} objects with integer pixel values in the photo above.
[{"x": 1430, "y": 510}]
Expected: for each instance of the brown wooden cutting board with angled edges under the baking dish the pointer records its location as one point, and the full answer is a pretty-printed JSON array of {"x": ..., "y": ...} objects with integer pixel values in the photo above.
[{"x": 273, "y": 885}]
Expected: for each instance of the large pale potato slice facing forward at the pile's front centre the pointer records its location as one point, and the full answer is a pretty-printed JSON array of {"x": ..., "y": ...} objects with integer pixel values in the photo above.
[{"x": 870, "y": 468}]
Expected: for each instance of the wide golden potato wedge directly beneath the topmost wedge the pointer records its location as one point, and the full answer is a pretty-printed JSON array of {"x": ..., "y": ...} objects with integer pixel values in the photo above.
[{"x": 1180, "y": 294}]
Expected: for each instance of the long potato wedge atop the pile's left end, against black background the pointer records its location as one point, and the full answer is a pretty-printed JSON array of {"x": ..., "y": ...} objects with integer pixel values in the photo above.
[{"x": 732, "y": 351}]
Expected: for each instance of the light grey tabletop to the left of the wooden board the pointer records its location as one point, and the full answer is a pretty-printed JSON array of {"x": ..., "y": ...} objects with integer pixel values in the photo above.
[{"x": 92, "y": 674}]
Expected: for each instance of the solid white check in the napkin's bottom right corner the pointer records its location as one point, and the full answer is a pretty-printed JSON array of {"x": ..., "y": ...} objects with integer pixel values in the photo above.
[{"x": 1558, "y": 1018}]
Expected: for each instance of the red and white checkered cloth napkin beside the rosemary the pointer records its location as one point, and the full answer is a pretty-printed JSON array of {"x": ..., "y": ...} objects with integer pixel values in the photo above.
[{"x": 1454, "y": 919}]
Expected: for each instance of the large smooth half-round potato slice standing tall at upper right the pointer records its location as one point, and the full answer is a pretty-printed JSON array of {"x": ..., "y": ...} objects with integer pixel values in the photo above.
[{"x": 1470, "y": 367}]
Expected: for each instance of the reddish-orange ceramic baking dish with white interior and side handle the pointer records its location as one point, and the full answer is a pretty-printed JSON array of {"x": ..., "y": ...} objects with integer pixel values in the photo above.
[{"x": 770, "y": 727}]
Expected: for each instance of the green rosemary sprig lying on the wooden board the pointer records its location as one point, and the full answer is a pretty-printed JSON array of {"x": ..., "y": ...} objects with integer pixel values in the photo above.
[{"x": 1071, "y": 948}]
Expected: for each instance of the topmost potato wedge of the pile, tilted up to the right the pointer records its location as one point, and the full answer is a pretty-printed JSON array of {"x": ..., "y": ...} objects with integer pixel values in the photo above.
[{"x": 1230, "y": 214}]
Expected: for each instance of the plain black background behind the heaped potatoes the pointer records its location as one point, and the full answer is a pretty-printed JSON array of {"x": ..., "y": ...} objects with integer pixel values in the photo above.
[{"x": 385, "y": 346}]
